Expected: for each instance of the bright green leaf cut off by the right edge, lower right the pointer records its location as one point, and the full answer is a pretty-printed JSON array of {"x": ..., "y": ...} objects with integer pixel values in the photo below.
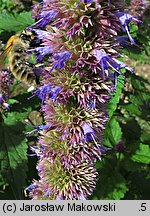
[{"x": 142, "y": 155}]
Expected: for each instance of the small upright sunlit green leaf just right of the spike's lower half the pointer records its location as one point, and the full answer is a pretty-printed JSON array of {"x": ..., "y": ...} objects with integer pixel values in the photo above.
[{"x": 113, "y": 133}]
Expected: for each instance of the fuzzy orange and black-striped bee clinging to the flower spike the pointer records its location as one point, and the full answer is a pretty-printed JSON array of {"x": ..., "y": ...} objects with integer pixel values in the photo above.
[{"x": 18, "y": 58}]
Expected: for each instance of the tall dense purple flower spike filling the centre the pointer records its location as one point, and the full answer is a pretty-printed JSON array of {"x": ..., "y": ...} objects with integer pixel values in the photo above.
[{"x": 79, "y": 48}]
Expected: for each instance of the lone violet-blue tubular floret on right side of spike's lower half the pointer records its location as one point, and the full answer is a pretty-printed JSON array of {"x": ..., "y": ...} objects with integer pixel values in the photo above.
[{"x": 88, "y": 132}]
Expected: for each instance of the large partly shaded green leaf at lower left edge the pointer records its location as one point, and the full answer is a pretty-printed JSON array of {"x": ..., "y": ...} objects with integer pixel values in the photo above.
[{"x": 13, "y": 150}]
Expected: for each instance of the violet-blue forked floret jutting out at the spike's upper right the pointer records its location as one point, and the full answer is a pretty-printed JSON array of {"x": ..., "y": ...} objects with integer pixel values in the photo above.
[{"x": 125, "y": 19}]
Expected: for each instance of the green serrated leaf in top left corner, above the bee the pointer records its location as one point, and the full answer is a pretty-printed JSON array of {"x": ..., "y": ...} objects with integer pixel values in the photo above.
[{"x": 15, "y": 23}]
